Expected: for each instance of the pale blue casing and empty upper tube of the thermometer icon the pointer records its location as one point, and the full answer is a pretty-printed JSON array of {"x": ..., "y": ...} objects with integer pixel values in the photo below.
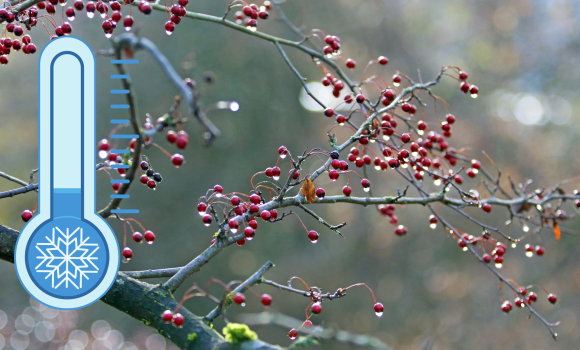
[{"x": 73, "y": 172}]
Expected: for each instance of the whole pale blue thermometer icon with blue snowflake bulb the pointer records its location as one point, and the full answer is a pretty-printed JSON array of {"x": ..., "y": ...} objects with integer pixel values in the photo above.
[{"x": 67, "y": 256}]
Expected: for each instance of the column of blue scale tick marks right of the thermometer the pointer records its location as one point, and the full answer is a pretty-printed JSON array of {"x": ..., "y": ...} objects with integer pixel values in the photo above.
[{"x": 121, "y": 136}]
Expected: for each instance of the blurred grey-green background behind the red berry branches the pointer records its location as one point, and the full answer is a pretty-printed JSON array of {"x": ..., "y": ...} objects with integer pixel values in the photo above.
[{"x": 522, "y": 54}]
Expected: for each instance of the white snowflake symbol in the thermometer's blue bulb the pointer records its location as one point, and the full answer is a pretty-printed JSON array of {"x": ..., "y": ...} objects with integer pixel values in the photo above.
[{"x": 66, "y": 258}]
